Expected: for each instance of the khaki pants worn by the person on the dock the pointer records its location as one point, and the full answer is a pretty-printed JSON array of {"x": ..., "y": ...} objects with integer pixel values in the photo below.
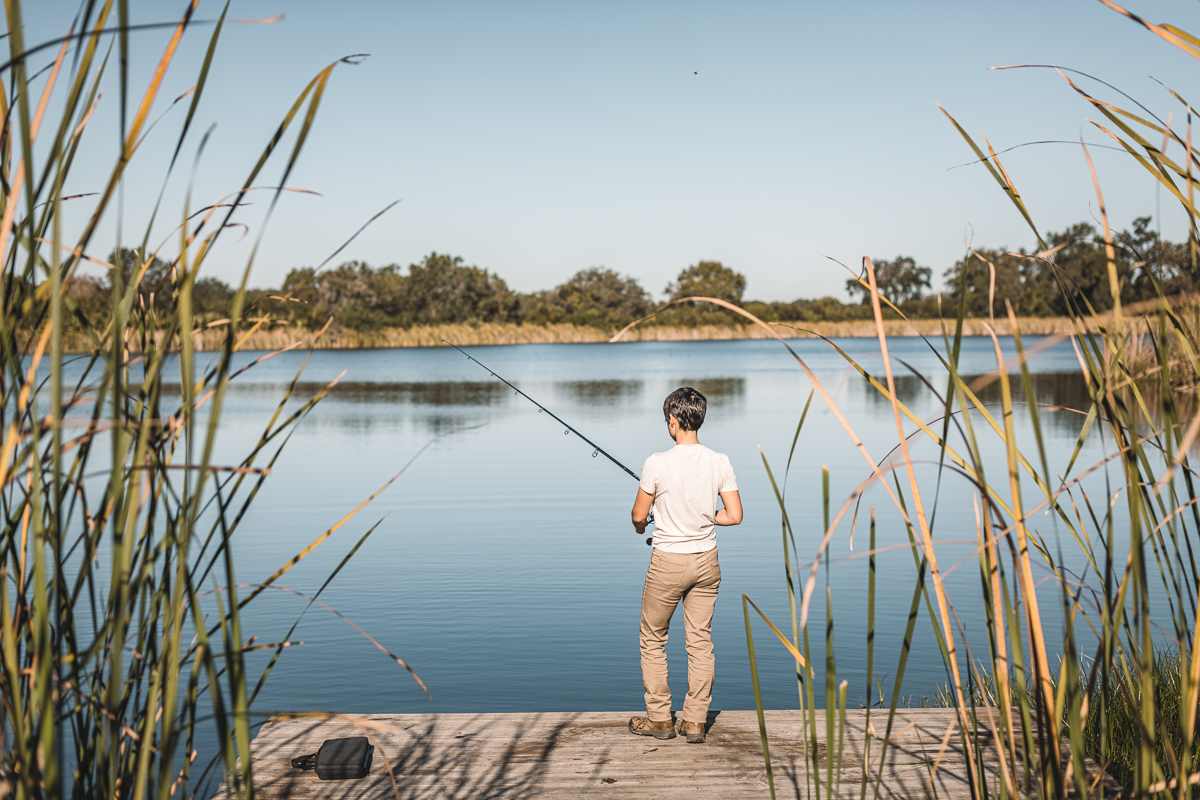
[{"x": 673, "y": 578}]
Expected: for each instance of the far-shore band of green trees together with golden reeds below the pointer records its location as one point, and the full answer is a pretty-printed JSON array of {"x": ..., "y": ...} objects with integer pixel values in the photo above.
[{"x": 443, "y": 299}]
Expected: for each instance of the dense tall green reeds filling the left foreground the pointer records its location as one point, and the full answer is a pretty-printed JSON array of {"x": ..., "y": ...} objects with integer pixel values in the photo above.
[{"x": 123, "y": 639}]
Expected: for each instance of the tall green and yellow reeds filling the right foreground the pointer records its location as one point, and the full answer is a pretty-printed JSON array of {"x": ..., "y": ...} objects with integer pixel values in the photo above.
[{"x": 1093, "y": 673}]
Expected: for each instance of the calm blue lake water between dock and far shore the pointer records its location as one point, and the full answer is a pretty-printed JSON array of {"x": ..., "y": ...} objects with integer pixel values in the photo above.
[{"x": 505, "y": 568}]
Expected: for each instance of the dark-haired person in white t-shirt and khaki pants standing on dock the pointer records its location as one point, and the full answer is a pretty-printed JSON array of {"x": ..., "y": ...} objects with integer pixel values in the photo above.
[{"x": 682, "y": 485}]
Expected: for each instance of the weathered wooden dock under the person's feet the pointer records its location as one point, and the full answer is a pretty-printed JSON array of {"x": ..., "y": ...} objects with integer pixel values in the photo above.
[{"x": 592, "y": 755}]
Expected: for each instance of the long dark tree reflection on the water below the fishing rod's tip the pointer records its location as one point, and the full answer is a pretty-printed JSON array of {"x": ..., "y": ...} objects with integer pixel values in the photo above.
[{"x": 404, "y": 393}]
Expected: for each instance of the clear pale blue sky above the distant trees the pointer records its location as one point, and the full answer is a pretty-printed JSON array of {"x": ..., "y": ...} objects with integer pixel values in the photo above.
[{"x": 541, "y": 139}]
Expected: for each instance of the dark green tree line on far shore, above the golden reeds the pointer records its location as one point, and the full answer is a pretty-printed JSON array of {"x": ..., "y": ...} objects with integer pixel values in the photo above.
[{"x": 443, "y": 290}]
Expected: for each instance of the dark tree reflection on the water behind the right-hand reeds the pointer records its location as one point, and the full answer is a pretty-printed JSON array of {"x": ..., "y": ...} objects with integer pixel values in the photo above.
[{"x": 1065, "y": 390}]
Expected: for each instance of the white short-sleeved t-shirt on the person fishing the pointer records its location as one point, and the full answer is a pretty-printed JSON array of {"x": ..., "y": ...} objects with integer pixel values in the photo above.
[{"x": 686, "y": 483}]
